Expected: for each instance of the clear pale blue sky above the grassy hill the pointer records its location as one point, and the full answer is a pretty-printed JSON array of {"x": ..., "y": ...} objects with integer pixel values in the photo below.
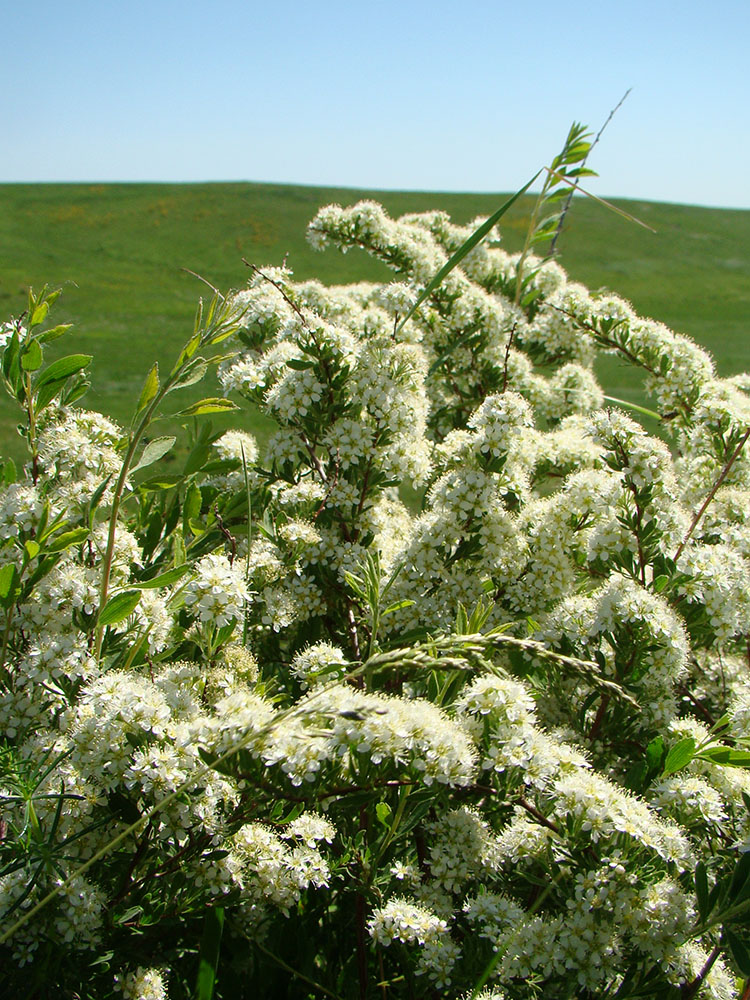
[{"x": 427, "y": 95}]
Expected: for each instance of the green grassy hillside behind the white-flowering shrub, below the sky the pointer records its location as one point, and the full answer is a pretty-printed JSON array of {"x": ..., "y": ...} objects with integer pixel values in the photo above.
[{"x": 119, "y": 252}]
